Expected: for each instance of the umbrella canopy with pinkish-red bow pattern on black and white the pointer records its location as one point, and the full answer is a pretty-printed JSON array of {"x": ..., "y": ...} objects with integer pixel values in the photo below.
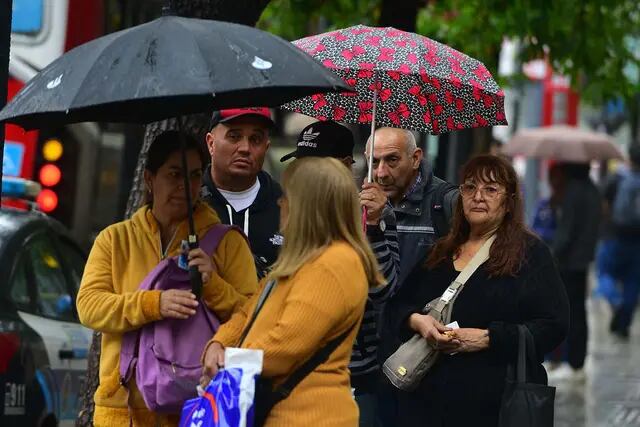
[{"x": 421, "y": 84}]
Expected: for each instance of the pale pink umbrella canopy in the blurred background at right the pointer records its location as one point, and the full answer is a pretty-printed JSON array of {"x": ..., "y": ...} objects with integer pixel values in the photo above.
[{"x": 563, "y": 143}]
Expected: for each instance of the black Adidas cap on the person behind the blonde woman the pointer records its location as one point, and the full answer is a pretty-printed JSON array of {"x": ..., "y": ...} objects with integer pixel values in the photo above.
[{"x": 323, "y": 139}]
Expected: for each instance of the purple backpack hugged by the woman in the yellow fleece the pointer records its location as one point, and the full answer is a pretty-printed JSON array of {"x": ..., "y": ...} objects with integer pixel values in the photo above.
[{"x": 165, "y": 355}]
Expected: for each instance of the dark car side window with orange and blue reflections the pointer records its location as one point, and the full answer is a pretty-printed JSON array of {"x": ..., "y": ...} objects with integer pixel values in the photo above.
[{"x": 54, "y": 299}]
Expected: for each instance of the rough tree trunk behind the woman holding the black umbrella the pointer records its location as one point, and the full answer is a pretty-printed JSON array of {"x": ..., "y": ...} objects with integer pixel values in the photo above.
[{"x": 245, "y": 12}]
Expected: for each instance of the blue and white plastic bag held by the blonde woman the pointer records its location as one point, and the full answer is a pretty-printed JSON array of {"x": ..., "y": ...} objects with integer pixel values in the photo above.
[{"x": 228, "y": 400}]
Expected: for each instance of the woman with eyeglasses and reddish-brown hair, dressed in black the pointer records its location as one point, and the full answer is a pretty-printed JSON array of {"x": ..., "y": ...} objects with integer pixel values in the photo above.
[{"x": 518, "y": 284}]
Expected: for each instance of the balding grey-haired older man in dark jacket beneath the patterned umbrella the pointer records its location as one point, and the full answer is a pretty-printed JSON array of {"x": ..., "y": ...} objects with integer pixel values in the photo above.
[{"x": 423, "y": 206}]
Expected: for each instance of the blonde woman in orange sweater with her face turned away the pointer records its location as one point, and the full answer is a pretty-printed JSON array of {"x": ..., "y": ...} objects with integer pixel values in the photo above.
[{"x": 322, "y": 277}]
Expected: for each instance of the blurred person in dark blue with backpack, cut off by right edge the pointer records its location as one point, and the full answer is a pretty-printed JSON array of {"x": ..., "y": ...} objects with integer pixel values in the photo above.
[{"x": 625, "y": 214}]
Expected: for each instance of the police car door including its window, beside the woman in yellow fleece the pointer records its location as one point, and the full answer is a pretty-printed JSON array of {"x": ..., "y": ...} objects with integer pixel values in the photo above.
[{"x": 67, "y": 342}]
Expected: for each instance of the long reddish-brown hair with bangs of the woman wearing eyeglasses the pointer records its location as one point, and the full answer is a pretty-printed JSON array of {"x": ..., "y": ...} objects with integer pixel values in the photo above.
[{"x": 508, "y": 251}]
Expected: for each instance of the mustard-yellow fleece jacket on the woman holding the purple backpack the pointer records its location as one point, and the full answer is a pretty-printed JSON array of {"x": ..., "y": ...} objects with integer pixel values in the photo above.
[{"x": 109, "y": 300}]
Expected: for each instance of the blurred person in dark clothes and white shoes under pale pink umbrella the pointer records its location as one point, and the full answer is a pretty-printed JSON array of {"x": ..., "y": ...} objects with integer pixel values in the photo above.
[{"x": 574, "y": 246}]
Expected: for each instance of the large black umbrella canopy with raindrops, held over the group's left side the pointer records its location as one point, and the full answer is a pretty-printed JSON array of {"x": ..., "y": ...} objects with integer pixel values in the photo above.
[{"x": 165, "y": 68}]
